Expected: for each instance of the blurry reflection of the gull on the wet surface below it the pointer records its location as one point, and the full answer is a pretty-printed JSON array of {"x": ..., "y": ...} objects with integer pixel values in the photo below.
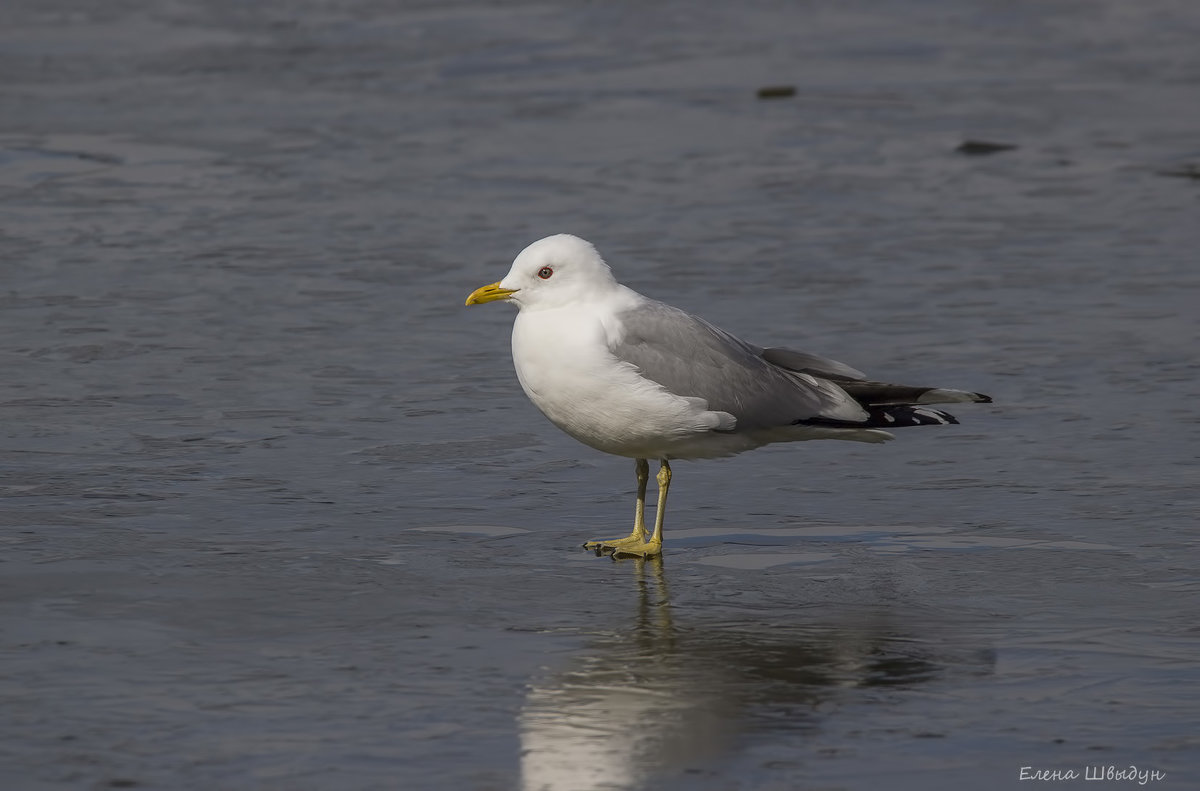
[{"x": 668, "y": 699}]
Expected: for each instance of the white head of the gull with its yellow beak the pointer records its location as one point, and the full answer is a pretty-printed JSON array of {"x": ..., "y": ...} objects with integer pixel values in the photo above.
[{"x": 551, "y": 273}]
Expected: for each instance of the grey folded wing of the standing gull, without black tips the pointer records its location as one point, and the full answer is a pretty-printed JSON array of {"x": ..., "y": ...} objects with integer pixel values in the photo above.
[{"x": 692, "y": 358}]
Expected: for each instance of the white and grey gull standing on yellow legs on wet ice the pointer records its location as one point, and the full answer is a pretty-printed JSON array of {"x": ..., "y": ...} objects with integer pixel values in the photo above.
[{"x": 635, "y": 377}]
